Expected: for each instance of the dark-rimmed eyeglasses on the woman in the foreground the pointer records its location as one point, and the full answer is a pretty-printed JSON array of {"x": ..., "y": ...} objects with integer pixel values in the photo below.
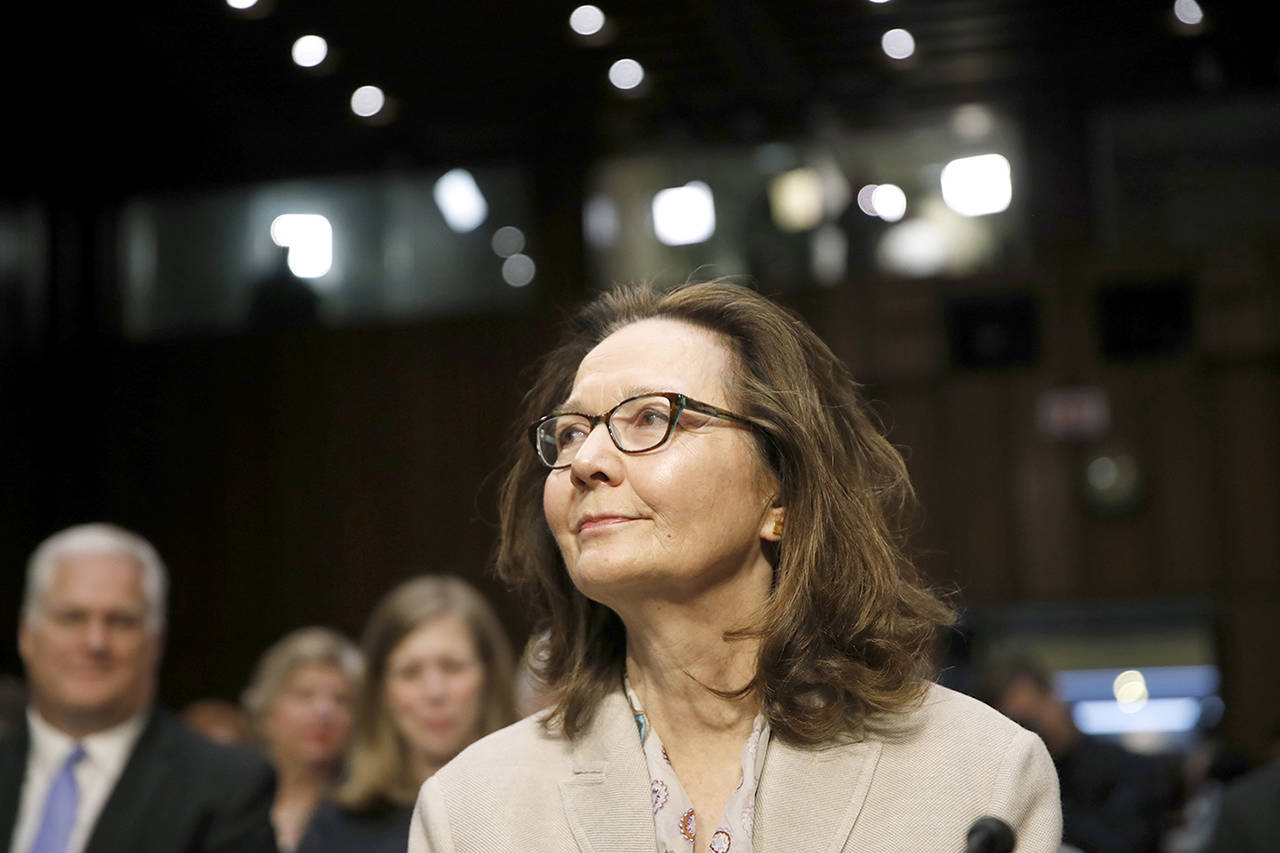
[{"x": 637, "y": 425}]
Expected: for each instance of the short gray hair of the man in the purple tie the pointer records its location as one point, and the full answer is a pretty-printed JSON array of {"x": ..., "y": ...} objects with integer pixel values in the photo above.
[{"x": 98, "y": 540}]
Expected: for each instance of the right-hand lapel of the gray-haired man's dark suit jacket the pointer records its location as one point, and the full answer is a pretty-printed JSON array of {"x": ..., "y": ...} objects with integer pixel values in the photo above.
[{"x": 134, "y": 802}]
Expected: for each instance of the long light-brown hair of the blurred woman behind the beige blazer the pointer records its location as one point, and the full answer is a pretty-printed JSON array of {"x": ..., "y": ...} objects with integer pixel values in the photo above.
[{"x": 378, "y": 768}]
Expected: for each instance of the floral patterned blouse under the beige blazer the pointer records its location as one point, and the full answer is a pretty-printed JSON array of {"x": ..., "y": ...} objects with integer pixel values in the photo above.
[{"x": 674, "y": 818}]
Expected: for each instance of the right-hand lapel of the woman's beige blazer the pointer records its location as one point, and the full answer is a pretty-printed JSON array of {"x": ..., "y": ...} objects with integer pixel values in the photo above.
[{"x": 810, "y": 799}]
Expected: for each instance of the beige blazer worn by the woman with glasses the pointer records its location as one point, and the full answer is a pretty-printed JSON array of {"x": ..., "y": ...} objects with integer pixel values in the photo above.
[{"x": 956, "y": 760}]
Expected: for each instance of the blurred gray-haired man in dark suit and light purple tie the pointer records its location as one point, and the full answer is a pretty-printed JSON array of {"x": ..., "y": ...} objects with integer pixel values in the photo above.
[{"x": 95, "y": 768}]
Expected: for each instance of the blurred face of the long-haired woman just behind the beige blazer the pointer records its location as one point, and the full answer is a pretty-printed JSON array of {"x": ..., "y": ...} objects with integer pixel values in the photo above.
[{"x": 436, "y": 690}]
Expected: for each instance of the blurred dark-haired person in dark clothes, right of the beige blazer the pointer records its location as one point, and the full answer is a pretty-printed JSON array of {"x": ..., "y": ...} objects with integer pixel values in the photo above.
[{"x": 1114, "y": 801}]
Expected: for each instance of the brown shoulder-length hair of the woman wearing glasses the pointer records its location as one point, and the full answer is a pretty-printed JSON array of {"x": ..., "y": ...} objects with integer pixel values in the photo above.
[{"x": 849, "y": 628}]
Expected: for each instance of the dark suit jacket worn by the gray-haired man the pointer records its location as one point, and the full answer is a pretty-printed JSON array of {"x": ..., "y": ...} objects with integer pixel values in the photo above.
[{"x": 179, "y": 793}]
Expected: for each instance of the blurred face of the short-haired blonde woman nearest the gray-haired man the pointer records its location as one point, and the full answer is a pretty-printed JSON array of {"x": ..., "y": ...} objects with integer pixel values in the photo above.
[{"x": 309, "y": 723}]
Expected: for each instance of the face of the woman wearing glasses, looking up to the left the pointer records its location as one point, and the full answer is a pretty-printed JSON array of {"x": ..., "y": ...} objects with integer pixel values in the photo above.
[{"x": 678, "y": 521}]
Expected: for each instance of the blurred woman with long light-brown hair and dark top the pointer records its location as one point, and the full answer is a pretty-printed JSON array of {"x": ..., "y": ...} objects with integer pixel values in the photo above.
[{"x": 438, "y": 676}]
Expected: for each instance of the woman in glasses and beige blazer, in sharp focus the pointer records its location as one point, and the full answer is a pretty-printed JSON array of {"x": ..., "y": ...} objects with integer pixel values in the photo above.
[{"x": 703, "y": 518}]
